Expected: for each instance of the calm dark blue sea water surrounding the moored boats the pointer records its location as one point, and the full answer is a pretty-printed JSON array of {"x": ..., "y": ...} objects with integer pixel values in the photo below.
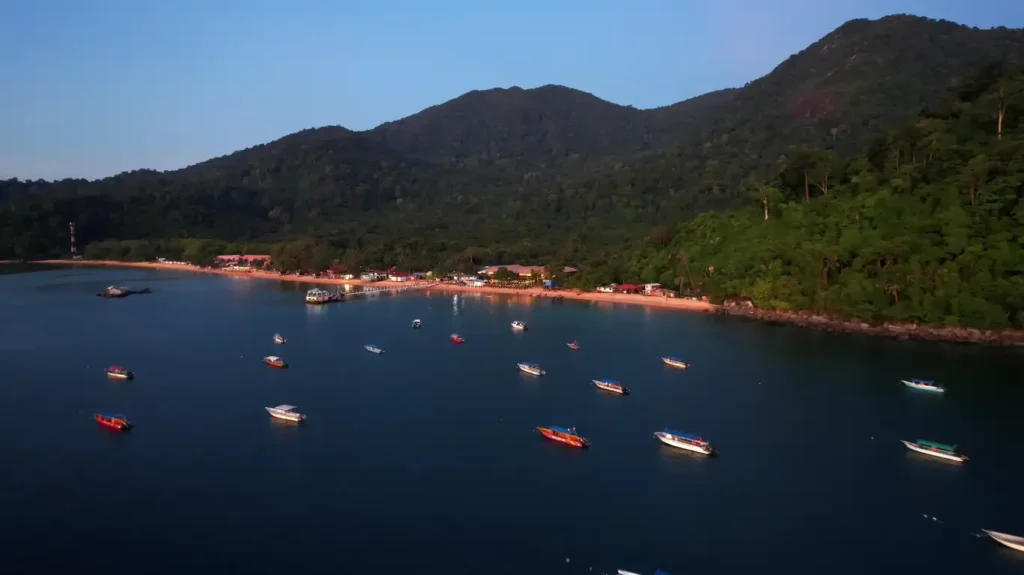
[{"x": 424, "y": 460}]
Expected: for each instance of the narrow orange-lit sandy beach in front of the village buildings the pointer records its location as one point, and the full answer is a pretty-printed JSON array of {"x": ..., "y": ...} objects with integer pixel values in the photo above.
[{"x": 650, "y": 301}]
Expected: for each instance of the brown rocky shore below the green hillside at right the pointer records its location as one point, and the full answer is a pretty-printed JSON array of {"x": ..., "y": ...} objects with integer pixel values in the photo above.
[{"x": 899, "y": 331}]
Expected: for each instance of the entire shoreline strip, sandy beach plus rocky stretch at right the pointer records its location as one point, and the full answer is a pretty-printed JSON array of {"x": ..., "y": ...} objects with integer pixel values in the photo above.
[{"x": 1009, "y": 337}]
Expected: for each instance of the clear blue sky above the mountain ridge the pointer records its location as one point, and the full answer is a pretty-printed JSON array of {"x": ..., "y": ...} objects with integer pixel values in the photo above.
[{"x": 92, "y": 89}]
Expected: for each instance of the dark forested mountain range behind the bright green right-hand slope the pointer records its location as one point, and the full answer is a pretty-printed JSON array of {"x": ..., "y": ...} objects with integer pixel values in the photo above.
[{"x": 528, "y": 174}]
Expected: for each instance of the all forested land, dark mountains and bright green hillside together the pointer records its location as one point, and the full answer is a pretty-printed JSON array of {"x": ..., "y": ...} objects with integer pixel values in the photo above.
[{"x": 804, "y": 190}]
